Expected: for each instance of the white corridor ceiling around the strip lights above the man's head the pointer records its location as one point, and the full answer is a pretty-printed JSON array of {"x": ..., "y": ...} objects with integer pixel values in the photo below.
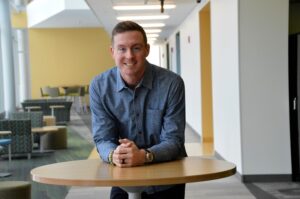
[{"x": 107, "y": 15}]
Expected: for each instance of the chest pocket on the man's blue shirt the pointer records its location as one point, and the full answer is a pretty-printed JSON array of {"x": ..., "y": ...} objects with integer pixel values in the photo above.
[{"x": 154, "y": 121}]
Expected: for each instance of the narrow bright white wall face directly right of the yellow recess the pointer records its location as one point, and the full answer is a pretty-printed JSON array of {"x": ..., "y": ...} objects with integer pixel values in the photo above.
[{"x": 225, "y": 78}]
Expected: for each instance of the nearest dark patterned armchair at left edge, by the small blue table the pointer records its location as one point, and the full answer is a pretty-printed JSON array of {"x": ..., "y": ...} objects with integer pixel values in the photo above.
[{"x": 20, "y": 135}]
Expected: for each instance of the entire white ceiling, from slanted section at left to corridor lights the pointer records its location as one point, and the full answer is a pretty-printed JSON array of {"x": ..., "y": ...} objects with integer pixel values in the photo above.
[{"x": 100, "y": 13}]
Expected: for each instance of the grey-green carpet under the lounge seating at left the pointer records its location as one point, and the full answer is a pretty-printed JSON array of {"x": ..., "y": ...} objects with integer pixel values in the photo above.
[{"x": 20, "y": 167}]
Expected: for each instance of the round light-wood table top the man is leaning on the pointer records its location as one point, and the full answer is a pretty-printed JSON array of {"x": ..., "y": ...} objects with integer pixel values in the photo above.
[{"x": 94, "y": 172}]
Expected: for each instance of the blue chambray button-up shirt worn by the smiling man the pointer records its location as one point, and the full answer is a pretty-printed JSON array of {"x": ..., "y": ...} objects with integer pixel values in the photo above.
[{"x": 152, "y": 115}]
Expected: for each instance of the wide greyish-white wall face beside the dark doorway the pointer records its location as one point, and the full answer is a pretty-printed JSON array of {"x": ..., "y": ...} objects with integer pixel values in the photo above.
[{"x": 264, "y": 86}]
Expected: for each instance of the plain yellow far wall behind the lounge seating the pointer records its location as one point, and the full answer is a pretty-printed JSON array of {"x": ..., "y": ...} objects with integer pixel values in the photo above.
[{"x": 67, "y": 56}]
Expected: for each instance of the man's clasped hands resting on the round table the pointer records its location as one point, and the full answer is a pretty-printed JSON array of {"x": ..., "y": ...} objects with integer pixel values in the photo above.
[{"x": 127, "y": 154}]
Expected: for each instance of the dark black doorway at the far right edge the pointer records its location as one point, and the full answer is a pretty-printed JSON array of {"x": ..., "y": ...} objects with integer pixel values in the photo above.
[{"x": 294, "y": 86}]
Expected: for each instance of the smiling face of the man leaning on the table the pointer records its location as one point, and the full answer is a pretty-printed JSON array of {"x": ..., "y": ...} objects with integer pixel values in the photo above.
[{"x": 129, "y": 52}]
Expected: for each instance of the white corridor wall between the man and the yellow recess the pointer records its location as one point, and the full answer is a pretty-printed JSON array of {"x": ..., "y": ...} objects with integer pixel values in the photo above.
[{"x": 190, "y": 66}]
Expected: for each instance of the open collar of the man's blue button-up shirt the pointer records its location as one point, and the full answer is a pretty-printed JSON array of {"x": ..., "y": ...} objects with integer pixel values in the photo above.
[{"x": 146, "y": 81}]
